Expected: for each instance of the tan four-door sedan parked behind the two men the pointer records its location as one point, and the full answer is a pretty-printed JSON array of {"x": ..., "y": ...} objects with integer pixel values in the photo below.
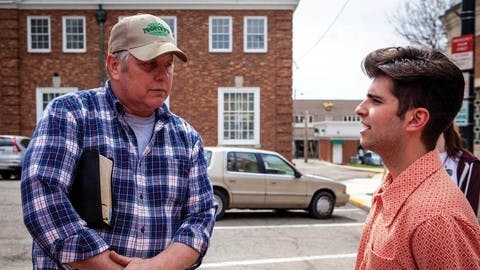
[{"x": 258, "y": 179}]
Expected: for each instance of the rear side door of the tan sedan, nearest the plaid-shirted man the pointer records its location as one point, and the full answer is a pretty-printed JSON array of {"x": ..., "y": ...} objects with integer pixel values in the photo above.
[{"x": 244, "y": 179}]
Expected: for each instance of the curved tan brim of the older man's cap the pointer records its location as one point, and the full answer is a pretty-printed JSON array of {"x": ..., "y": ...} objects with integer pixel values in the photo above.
[{"x": 152, "y": 50}]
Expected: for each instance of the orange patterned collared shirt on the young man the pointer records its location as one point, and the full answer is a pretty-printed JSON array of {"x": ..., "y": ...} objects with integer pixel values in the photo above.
[{"x": 420, "y": 220}]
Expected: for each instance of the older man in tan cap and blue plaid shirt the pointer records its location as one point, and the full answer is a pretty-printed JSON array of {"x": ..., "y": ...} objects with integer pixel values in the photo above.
[{"x": 163, "y": 211}]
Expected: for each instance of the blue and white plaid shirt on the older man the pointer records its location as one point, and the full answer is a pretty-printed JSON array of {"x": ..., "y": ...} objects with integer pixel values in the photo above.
[{"x": 161, "y": 196}]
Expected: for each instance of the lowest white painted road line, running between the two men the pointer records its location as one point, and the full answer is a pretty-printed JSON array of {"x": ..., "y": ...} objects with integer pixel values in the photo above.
[{"x": 277, "y": 260}]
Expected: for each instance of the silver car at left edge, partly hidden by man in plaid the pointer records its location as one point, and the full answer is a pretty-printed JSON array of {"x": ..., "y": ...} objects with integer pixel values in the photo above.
[{"x": 12, "y": 151}]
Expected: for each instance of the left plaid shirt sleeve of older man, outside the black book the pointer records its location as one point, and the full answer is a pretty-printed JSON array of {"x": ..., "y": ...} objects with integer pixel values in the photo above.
[{"x": 46, "y": 179}]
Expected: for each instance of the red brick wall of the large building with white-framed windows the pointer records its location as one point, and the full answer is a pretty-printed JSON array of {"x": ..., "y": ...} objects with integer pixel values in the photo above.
[{"x": 194, "y": 95}]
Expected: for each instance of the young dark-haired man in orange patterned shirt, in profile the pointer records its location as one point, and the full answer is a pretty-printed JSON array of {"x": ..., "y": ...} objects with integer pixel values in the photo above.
[{"x": 419, "y": 219}]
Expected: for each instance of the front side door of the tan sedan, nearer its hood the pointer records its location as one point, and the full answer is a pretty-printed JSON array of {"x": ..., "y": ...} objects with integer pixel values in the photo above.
[{"x": 284, "y": 190}]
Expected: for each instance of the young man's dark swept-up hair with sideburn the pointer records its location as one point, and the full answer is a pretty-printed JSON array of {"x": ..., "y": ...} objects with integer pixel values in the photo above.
[{"x": 421, "y": 78}]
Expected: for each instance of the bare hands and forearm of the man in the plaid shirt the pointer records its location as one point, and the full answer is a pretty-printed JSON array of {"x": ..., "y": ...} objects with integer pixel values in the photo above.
[{"x": 177, "y": 256}]
